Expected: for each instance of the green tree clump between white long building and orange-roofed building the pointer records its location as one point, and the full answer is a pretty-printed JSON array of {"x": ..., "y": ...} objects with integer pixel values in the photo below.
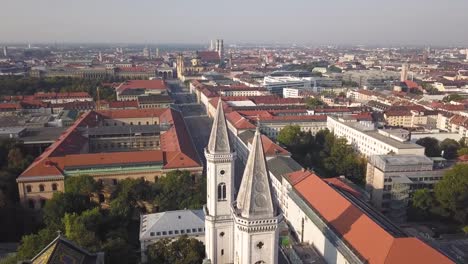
[{"x": 327, "y": 154}]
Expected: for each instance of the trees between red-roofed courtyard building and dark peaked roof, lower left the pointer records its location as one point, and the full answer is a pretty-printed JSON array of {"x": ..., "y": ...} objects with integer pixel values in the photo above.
[{"x": 115, "y": 229}]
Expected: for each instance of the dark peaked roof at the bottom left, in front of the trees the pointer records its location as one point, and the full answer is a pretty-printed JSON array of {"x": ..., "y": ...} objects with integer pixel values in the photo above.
[{"x": 61, "y": 250}]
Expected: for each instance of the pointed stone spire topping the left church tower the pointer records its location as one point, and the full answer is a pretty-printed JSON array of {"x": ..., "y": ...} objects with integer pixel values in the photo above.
[{"x": 219, "y": 137}]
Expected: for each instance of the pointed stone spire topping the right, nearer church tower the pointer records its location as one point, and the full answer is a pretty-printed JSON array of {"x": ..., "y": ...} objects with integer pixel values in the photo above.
[{"x": 254, "y": 199}]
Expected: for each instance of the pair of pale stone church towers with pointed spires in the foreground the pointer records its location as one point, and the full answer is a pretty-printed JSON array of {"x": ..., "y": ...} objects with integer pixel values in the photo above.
[{"x": 240, "y": 229}]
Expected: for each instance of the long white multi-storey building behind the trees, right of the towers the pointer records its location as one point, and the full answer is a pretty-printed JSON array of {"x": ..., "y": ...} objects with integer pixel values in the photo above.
[{"x": 370, "y": 141}]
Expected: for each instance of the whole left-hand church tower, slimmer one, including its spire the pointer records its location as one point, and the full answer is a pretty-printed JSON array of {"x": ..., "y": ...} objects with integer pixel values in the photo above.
[{"x": 220, "y": 158}]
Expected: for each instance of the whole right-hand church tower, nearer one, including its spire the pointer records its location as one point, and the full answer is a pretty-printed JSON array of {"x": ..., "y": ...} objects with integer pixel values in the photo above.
[{"x": 255, "y": 216}]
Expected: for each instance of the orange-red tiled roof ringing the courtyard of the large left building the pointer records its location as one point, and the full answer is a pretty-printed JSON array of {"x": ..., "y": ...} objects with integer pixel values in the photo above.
[{"x": 177, "y": 149}]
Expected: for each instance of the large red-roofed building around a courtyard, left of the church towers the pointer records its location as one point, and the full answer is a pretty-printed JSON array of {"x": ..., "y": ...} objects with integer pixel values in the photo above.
[{"x": 111, "y": 146}]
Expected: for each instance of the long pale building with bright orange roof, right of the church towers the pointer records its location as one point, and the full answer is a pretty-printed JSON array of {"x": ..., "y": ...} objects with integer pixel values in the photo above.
[{"x": 343, "y": 229}]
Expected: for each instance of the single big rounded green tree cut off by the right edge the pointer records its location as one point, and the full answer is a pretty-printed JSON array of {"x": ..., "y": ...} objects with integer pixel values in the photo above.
[{"x": 452, "y": 192}]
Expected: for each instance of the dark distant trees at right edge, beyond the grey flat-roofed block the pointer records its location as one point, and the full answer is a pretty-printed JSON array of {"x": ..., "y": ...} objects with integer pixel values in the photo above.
[{"x": 448, "y": 148}]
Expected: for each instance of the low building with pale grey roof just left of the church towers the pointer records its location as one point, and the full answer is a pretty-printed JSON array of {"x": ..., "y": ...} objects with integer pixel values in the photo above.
[{"x": 172, "y": 225}]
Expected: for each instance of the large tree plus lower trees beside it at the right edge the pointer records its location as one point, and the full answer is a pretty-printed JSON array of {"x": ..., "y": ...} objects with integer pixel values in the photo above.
[{"x": 448, "y": 201}]
